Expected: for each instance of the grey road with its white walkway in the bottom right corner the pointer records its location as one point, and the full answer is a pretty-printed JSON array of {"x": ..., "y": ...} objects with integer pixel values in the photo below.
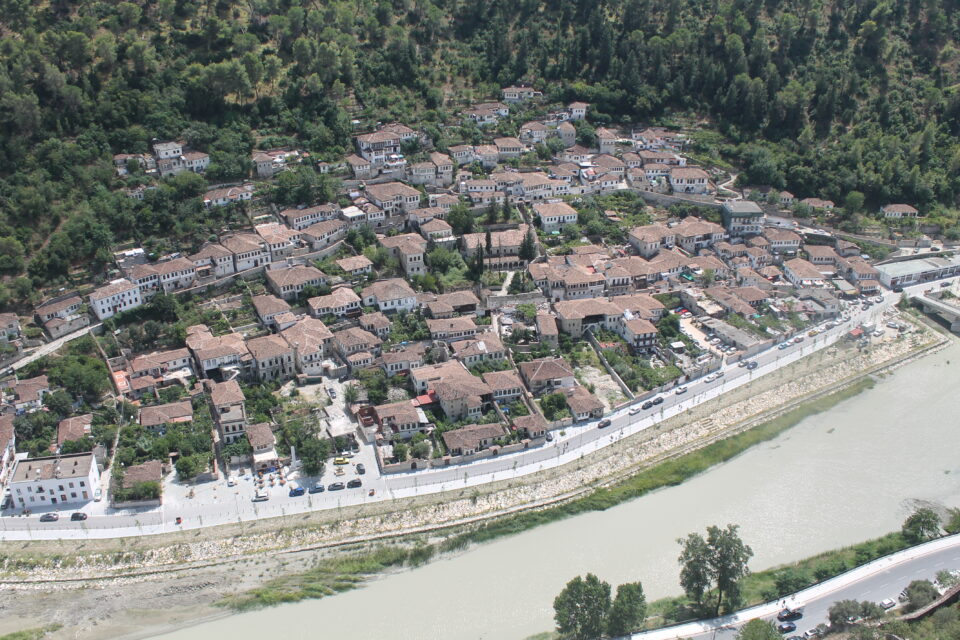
[{"x": 876, "y": 581}]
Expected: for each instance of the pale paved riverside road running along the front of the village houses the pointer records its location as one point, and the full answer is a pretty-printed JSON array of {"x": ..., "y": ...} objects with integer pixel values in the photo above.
[{"x": 230, "y": 505}]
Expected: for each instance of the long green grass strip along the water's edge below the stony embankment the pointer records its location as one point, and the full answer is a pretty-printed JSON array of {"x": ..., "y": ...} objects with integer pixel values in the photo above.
[{"x": 669, "y": 473}]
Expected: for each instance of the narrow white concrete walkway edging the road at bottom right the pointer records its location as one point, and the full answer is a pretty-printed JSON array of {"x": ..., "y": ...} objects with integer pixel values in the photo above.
[{"x": 805, "y": 597}]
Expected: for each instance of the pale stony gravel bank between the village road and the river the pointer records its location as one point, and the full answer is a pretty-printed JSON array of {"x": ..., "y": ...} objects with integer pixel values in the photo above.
[{"x": 137, "y": 588}]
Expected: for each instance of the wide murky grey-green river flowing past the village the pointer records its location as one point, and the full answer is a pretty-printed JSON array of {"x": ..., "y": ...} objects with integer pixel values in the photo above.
[{"x": 837, "y": 478}]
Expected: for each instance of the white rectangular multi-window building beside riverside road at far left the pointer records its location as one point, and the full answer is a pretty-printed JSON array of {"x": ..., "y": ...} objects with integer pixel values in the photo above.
[{"x": 55, "y": 480}]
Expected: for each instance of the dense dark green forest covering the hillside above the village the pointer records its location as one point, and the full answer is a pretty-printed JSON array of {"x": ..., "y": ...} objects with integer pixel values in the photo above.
[{"x": 822, "y": 97}]
